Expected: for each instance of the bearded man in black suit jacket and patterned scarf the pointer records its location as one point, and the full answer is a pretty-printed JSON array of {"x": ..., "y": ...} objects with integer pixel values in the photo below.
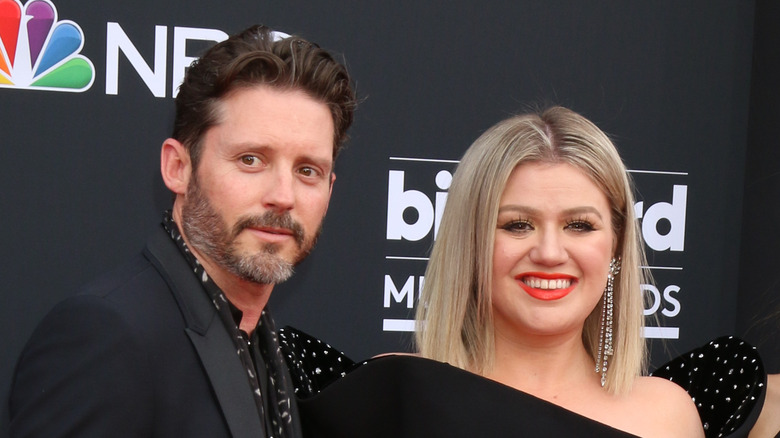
[{"x": 178, "y": 342}]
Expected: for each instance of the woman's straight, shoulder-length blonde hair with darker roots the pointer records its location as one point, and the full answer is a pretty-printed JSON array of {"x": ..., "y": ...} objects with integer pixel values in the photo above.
[{"x": 454, "y": 316}]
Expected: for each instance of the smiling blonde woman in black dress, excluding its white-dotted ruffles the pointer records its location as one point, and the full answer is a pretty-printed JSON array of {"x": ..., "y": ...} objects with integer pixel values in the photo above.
[{"x": 525, "y": 299}]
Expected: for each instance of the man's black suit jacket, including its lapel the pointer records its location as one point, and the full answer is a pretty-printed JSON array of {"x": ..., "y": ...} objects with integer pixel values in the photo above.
[{"x": 142, "y": 353}]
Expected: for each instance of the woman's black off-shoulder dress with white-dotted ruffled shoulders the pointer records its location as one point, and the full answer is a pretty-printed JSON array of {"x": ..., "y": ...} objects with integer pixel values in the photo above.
[{"x": 408, "y": 396}]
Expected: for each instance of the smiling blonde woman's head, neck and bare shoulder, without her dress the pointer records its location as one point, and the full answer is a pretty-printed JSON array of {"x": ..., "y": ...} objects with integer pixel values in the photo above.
[{"x": 537, "y": 200}]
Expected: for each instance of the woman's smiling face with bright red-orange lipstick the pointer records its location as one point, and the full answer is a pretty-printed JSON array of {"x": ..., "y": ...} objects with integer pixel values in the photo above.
[{"x": 553, "y": 244}]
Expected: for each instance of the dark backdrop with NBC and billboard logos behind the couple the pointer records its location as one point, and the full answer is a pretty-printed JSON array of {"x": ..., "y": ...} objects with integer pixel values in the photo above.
[{"x": 86, "y": 99}]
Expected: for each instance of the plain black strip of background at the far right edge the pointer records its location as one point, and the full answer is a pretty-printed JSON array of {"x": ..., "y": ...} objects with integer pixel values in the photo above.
[{"x": 758, "y": 316}]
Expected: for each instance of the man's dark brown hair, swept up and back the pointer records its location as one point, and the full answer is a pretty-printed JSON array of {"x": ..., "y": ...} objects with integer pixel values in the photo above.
[{"x": 254, "y": 57}]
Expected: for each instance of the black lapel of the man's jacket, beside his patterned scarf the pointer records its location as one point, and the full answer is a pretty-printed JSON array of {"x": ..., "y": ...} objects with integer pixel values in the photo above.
[{"x": 209, "y": 337}]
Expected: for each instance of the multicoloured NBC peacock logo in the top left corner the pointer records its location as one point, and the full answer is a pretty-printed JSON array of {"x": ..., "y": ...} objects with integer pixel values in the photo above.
[{"x": 38, "y": 52}]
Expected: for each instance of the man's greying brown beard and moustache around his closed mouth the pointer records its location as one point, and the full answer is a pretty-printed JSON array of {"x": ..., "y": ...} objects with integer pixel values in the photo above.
[{"x": 207, "y": 232}]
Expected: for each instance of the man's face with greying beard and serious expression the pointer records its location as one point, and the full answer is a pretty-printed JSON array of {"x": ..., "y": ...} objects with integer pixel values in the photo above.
[{"x": 255, "y": 204}]
